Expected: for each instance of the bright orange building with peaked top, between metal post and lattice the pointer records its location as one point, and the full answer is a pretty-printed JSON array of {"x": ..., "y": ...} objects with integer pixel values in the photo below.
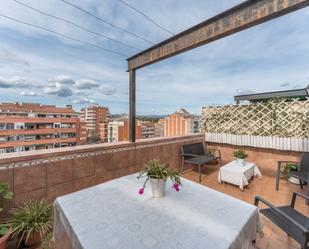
[{"x": 180, "y": 123}]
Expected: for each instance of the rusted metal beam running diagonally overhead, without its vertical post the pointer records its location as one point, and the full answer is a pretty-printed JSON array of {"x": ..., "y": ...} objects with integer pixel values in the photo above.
[{"x": 238, "y": 18}]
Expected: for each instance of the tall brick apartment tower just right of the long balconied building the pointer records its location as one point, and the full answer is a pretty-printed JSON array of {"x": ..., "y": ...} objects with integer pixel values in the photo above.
[{"x": 96, "y": 118}]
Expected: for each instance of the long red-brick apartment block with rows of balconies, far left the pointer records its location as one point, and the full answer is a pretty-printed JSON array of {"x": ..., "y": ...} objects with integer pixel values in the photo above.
[{"x": 32, "y": 126}]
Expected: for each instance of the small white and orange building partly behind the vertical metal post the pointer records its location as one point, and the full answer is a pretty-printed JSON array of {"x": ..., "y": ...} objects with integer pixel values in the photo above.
[{"x": 118, "y": 130}]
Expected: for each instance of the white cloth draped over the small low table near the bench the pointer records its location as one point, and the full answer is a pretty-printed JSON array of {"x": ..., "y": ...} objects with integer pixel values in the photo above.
[{"x": 238, "y": 175}]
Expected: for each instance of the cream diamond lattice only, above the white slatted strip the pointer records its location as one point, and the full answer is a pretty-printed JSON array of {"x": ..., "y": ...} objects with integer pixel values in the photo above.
[{"x": 280, "y": 118}]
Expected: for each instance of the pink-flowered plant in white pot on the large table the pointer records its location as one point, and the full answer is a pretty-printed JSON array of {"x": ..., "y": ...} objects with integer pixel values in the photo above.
[{"x": 157, "y": 174}]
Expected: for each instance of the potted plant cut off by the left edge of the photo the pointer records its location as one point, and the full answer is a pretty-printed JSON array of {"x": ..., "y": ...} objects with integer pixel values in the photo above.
[{"x": 5, "y": 194}]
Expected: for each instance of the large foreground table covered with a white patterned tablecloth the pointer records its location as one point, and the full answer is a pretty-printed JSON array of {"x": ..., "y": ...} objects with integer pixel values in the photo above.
[{"x": 113, "y": 216}]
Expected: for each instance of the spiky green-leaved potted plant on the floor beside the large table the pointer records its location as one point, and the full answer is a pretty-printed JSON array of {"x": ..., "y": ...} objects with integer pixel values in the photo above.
[{"x": 31, "y": 222}]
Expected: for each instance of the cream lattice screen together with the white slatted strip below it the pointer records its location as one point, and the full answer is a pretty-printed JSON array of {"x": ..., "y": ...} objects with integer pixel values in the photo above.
[{"x": 266, "y": 122}]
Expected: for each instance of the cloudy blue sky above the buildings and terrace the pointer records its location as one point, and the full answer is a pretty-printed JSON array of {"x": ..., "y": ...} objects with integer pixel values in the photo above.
[{"x": 39, "y": 66}]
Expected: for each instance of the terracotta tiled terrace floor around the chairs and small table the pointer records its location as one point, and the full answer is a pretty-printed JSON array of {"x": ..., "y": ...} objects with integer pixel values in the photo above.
[{"x": 273, "y": 237}]
